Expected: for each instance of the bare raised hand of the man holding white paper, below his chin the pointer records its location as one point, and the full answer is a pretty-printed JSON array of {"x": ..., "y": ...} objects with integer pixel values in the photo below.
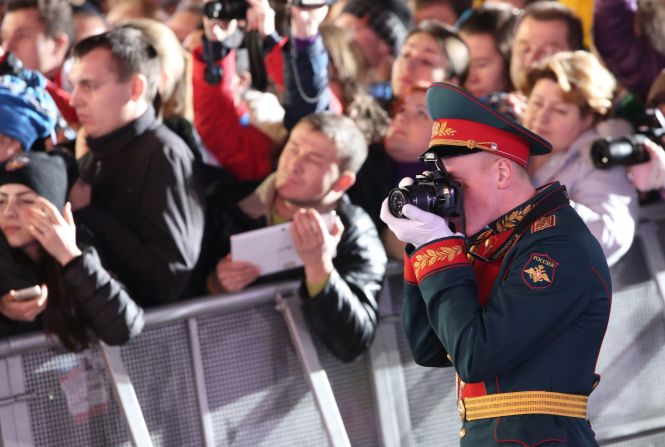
[{"x": 315, "y": 245}]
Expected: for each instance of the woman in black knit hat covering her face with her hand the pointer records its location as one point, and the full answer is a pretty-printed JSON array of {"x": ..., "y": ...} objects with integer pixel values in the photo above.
[{"x": 39, "y": 252}]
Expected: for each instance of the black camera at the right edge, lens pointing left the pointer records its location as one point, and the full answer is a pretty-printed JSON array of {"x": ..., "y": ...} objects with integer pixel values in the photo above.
[{"x": 630, "y": 150}]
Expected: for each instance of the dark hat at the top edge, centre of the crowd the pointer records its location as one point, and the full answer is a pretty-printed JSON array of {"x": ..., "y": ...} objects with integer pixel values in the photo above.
[{"x": 391, "y": 20}]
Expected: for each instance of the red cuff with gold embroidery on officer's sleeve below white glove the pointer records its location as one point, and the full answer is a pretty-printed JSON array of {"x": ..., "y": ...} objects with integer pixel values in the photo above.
[{"x": 439, "y": 255}]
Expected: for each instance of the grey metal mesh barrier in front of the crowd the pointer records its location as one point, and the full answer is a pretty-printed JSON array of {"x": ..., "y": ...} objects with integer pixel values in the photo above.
[{"x": 243, "y": 369}]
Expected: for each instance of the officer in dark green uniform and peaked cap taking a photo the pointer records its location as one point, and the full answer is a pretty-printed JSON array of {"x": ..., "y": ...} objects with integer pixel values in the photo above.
[{"x": 518, "y": 301}]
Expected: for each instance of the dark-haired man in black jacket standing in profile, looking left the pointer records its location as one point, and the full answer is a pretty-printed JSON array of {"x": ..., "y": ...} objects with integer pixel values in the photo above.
[{"x": 137, "y": 192}]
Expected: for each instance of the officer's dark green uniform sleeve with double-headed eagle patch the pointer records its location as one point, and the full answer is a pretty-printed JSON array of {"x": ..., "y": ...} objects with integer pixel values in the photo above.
[{"x": 544, "y": 288}]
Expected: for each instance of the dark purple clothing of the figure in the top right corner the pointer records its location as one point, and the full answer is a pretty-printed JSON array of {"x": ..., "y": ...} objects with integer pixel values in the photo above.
[{"x": 634, "y": 54}]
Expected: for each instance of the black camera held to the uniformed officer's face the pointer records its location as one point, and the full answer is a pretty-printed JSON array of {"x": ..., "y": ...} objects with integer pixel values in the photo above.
[{"x": 434, "y": 191}]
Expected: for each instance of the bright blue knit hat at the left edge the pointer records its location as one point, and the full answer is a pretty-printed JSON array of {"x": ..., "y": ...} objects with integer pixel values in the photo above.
[{"x": 27, "y": 111}]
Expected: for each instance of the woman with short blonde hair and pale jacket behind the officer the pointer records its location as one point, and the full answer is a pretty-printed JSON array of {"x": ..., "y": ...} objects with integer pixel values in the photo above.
[{"x": 569, "y": 94}]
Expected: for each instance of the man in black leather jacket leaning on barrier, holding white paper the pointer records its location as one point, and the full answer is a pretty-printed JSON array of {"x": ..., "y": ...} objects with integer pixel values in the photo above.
[{"x": 339, "y": 291}]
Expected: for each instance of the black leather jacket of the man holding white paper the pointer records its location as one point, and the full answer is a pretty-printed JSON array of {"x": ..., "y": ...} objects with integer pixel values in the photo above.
[{"x": 345, "y": 313}]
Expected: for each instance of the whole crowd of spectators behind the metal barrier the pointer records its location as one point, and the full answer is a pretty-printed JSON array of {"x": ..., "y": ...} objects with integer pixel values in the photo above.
[{"x": 173, "y": 126}]
